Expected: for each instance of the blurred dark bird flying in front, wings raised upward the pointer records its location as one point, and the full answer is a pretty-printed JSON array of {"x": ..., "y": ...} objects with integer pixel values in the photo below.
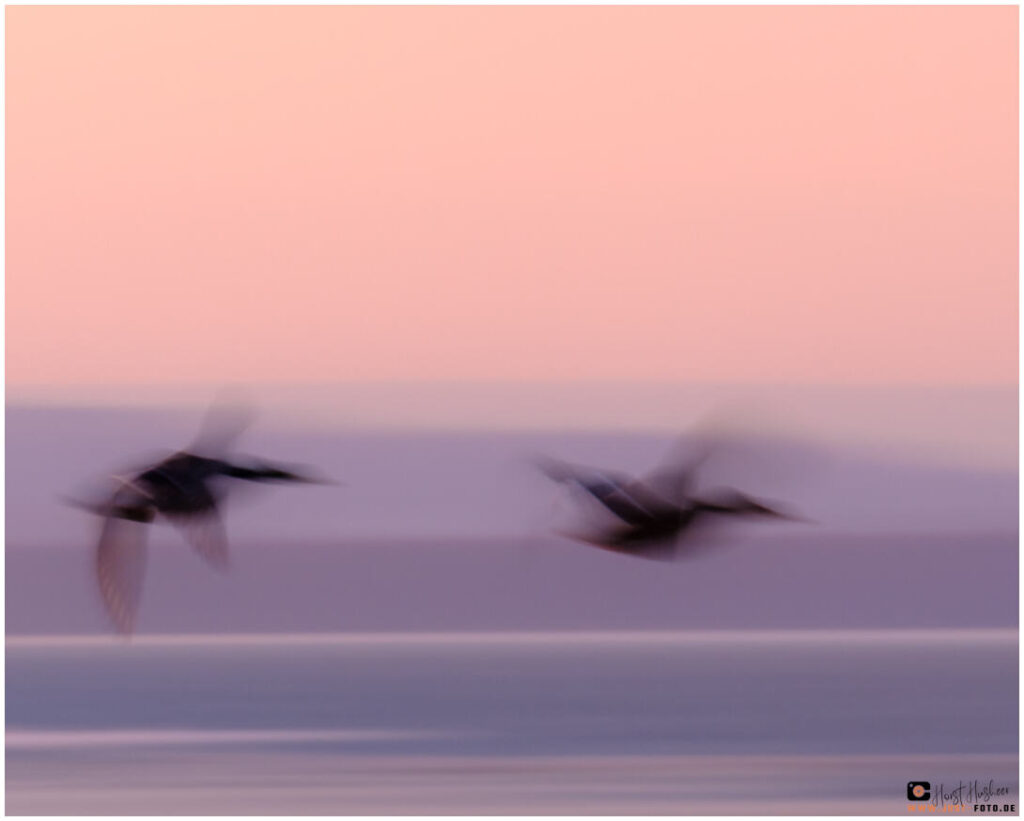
[{"x": 657, "y": 516}]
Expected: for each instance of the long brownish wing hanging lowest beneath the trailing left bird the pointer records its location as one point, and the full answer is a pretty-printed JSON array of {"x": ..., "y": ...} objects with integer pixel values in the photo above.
[{"x": 121, "y": 569}]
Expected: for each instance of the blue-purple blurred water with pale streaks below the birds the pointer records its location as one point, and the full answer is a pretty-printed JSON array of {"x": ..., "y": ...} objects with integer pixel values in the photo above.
[{"x": 528, "y": 723}]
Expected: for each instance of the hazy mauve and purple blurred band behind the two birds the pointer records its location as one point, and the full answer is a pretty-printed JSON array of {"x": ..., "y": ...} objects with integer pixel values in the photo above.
[{"x": 452, "y": 527}]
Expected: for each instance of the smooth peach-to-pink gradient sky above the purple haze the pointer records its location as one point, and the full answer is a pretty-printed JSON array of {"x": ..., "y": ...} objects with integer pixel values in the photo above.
[{"x": 816, "y": 195}]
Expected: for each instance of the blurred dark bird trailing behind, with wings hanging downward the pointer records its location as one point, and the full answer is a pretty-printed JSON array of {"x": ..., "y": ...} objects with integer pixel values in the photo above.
[{"x": 187, "y": 490}]
